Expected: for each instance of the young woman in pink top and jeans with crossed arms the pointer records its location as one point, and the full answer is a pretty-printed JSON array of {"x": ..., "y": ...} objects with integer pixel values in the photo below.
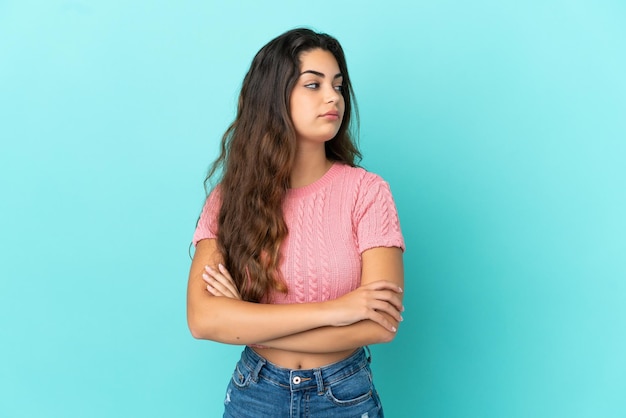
[{"x": 298, "y": 251}]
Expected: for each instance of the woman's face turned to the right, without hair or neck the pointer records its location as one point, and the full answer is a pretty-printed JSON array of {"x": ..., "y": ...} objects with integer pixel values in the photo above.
[{"x": 316, "y": 104}]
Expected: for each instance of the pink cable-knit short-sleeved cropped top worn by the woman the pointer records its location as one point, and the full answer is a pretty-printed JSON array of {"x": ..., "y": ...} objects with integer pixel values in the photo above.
[{"x": 331, "y": 222}]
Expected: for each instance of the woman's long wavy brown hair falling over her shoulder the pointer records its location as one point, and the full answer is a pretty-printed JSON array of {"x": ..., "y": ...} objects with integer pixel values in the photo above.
[{"x": 256, "y": 160}]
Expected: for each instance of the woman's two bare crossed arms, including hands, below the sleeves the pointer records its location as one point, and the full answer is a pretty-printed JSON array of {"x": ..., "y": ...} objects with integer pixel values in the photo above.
[{"x": 368, "y": 315}]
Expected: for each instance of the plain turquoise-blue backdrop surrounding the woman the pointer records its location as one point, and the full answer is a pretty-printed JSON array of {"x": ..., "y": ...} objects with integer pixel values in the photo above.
[{"x": 500, "y": 125}]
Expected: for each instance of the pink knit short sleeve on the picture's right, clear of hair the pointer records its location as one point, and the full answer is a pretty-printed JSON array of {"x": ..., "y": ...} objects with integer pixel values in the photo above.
[{"x": 376, "y": 221}]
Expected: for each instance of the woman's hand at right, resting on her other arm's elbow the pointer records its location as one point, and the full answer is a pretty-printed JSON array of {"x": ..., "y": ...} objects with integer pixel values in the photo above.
[{"x": 369, "y": 302}]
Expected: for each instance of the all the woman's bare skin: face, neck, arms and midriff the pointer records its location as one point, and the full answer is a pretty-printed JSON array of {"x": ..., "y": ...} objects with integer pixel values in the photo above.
[{"x": 304, "y": 335}]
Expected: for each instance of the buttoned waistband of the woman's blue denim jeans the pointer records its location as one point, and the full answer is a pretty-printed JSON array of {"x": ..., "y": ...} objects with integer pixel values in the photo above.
[{"x": 303, "y": 379}]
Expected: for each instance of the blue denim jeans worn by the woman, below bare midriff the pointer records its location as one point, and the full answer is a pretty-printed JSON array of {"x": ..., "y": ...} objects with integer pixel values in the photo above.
[{"x": 260, "y": 389}]
